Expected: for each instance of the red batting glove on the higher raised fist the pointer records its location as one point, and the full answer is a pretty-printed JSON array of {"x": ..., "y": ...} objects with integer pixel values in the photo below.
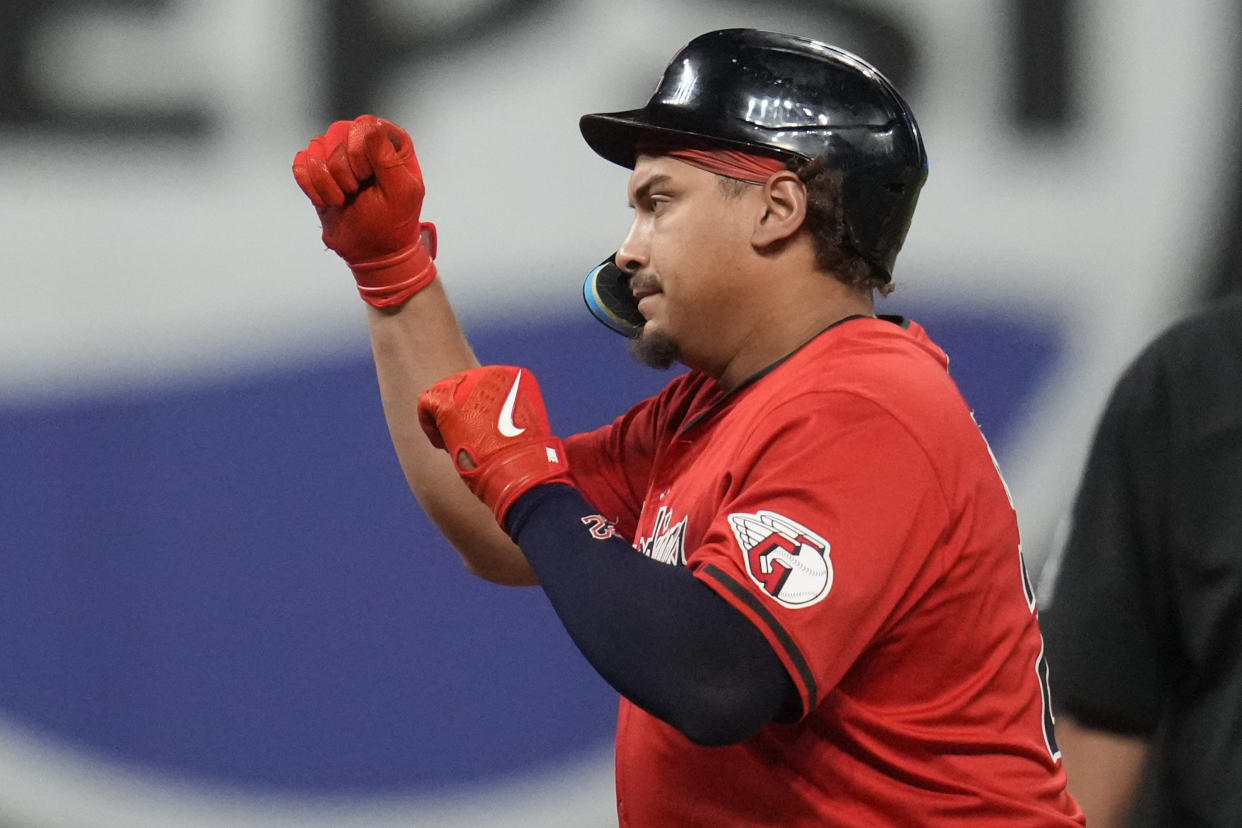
[{"x": 365, "y": 181}]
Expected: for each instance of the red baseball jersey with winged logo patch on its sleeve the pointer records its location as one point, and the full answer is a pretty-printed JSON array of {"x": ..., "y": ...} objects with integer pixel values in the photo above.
[{"x": 848, "y": 505}]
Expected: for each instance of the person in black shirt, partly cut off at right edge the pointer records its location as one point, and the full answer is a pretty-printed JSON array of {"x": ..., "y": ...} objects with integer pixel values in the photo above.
[{"x": 1145, "y": 624}]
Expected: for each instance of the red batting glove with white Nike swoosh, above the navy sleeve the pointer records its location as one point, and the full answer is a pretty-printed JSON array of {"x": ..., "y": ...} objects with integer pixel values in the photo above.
[{"x": 494, "y": 424}]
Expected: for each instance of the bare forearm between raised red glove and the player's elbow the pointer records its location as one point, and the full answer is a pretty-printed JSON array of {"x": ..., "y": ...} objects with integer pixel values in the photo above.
[{"x": 415, "y": 346}]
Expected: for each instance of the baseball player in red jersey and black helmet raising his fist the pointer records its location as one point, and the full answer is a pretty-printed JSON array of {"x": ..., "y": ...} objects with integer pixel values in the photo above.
[{"x": 798, "y": 564}]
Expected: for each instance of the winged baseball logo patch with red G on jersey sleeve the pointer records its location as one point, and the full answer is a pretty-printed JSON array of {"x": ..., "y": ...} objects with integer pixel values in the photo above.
[{"x": 788, "y": 562}]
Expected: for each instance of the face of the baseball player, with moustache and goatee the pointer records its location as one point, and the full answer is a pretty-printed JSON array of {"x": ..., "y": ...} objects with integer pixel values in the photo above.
[{"x": 682, "y": 253}]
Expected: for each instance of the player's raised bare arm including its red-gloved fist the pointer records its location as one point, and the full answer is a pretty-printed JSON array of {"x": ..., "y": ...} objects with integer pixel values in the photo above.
[{"x": 366, "y": 183}]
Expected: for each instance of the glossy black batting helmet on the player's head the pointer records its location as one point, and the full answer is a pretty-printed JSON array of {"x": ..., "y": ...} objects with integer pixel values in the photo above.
[{"x": 789, "y": 97}]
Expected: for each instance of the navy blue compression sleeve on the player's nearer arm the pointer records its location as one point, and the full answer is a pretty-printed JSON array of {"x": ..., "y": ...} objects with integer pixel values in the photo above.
[{"x": 656, "y": 634}]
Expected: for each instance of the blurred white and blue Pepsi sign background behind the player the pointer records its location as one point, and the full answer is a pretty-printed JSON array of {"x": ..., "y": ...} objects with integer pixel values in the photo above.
[{"x": 219, "y": 603}]
